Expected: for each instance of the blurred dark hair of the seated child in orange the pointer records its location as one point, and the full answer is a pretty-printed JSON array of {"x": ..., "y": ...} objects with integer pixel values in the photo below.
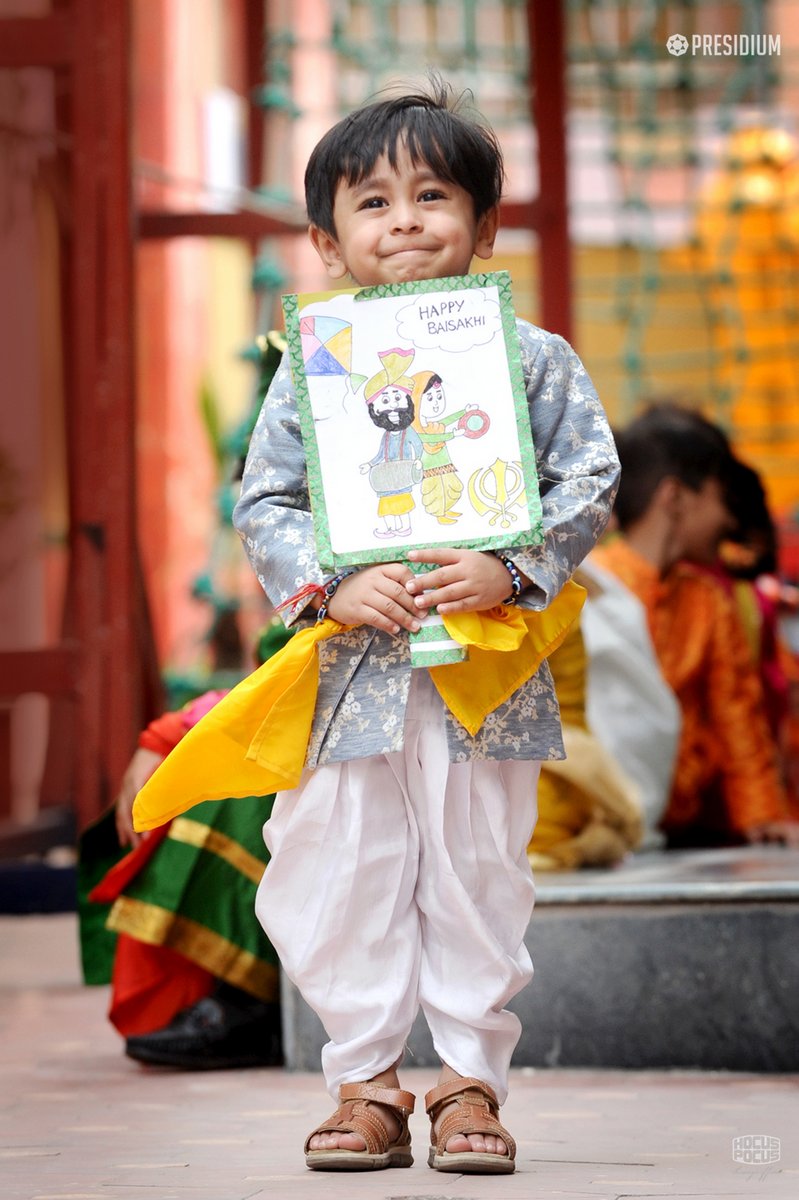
[{"x": 668, "y": 442}]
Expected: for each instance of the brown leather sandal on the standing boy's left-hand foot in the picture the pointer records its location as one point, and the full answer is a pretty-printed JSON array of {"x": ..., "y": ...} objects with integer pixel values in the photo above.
[{"x": 356, "y": 1115}]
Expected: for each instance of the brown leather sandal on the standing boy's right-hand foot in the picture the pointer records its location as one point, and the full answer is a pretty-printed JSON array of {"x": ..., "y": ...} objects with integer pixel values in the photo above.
[{"x": 477, "y": 1113}]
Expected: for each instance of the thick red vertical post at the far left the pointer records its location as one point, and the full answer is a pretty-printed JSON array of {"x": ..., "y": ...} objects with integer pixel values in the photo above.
[{"x": 103, "y": 401}]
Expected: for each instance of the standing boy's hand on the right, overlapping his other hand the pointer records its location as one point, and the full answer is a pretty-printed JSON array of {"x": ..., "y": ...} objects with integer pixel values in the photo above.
[{"x": 465, "y": 581}]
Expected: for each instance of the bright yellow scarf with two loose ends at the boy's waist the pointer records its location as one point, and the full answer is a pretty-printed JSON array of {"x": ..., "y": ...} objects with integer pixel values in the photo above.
[{"x": 255, "y": 741}]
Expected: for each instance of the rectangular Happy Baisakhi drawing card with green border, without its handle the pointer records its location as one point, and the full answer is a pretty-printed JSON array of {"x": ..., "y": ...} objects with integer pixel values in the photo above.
[{"x": 414, "y": 416}]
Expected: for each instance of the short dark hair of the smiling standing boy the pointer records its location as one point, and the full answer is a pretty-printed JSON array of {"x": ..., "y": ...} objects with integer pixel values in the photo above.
[{"x": 435, "y": 129}]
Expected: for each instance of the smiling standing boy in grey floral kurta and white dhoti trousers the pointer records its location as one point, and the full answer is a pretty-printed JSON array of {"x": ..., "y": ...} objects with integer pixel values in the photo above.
[{"x": 399, "y": 874}]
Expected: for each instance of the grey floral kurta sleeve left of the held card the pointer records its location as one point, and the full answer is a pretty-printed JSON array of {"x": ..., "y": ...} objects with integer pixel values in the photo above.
[{"x": 273, "y": 515}]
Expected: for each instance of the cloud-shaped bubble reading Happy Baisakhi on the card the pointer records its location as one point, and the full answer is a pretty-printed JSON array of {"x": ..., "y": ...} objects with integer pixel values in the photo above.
[{"x": 449, "y": 321}]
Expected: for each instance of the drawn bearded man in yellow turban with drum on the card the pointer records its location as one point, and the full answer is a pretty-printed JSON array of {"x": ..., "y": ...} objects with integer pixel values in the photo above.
[{"x": 397, "y": 467}]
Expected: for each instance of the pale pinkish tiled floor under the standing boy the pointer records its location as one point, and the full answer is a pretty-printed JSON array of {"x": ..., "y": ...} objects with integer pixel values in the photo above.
[{"x": 82, "y": 1123}]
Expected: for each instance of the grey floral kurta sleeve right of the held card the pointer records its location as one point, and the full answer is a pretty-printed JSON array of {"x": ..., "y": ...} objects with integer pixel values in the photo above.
[{"x": 578, "y": 465}]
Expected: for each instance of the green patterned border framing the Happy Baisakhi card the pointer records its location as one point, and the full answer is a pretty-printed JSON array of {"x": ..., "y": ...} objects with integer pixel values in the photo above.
[{"x": 328, "y": 559}]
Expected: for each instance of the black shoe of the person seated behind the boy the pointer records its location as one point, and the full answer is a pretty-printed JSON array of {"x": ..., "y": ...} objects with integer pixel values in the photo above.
[{"x": 213, "y": 1035}]
